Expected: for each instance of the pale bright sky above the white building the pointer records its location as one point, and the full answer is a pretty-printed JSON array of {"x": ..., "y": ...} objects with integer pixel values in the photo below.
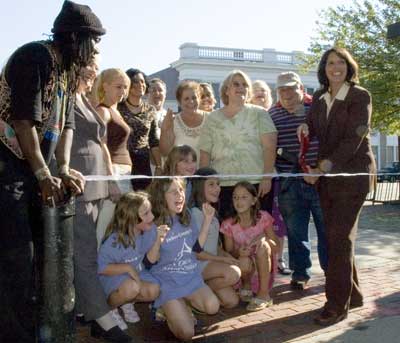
[{"x": 147, "y": 34}]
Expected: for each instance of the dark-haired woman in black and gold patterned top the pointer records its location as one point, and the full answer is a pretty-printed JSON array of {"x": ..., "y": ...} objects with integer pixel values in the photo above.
[{"x": 143, "y": 140}]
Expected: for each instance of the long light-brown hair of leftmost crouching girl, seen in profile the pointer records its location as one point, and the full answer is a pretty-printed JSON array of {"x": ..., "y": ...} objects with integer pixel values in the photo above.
[{"x": 126, "y": 217}]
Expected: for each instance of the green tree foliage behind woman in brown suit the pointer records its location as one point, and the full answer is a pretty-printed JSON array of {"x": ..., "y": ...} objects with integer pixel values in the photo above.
[{"x": 361, "y": 28}]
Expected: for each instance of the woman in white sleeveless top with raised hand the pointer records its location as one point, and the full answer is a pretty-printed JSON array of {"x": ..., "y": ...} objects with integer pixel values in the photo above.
[{"x": 183, "y": 128}]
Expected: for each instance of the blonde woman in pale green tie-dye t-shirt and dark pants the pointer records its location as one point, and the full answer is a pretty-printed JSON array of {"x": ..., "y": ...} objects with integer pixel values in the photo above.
[{"x": 239, "y": 138}]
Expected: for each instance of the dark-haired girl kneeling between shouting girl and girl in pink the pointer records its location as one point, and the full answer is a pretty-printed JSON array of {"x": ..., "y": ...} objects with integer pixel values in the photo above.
[{"x": 219, "y": 269}]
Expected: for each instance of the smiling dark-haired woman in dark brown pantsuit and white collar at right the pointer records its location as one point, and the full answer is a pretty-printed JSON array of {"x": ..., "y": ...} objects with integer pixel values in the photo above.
[{"x": 340, "y": 117}]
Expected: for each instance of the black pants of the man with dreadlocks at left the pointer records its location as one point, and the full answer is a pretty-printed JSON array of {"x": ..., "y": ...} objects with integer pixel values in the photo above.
[{"x": 18, "y": 192}]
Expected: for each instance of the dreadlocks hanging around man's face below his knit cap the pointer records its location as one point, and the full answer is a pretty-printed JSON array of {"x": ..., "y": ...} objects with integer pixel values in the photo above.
[{"x": 77, "y": 50}]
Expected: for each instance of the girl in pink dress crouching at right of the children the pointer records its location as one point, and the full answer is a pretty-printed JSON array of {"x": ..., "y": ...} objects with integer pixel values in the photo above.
[{"x": 249, "y": 236}]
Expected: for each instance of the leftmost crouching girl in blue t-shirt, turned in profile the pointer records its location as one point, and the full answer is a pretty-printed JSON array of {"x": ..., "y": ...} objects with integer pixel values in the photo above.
[{"x": 122, "y": 252}]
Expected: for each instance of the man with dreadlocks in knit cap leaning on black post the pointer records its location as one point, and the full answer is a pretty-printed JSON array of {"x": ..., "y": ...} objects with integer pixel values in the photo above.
[{"x": 37, "y": 89}]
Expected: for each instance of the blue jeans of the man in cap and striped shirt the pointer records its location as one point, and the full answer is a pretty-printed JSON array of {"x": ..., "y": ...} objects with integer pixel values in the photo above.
[{"x": 297, "y": 202}]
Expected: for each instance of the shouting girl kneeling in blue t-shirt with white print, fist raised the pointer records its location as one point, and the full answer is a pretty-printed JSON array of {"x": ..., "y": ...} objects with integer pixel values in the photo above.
[{"x": 178, "y": 269}]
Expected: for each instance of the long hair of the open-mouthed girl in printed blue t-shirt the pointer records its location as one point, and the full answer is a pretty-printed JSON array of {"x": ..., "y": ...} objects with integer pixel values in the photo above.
[{"x": 157, "y": 191}]
